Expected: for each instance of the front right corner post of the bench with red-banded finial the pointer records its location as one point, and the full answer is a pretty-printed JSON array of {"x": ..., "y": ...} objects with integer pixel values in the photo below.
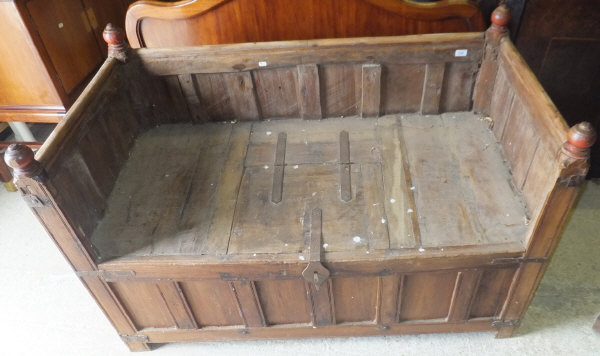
[{"x": 574, "y": 165}]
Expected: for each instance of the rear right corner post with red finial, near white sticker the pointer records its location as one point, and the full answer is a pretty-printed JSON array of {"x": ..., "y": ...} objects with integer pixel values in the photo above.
[{"x": 486, "y": 78}]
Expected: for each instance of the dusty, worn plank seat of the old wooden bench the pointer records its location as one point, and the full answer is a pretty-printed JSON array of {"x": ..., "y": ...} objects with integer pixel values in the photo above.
[{"x": 400, "y": 181}]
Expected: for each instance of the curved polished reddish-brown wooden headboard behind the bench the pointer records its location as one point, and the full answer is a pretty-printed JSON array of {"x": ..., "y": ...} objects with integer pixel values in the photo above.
[{"x": 202, "y": 22}]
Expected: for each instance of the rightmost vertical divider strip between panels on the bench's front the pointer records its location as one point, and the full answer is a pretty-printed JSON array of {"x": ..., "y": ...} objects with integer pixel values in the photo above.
[{"x": 466, "y": 285}]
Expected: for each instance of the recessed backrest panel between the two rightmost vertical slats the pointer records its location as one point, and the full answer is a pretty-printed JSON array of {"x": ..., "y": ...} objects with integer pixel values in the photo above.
[{"x": 402, "y": 86}]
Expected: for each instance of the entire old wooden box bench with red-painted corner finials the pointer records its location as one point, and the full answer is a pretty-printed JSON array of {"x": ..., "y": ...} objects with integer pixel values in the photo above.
[{"x": 440, "y": 179}]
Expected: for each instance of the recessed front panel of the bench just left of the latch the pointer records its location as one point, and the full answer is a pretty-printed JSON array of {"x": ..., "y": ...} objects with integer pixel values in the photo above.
[{"x": 283, "y": 301}]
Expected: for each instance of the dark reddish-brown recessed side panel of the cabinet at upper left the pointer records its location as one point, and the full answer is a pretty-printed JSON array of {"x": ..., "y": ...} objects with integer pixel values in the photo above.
[{"x": 67, "y": 36}]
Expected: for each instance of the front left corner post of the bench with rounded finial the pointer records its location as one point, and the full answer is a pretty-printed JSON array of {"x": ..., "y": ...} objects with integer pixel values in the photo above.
[{"x": 33, "y": 183}]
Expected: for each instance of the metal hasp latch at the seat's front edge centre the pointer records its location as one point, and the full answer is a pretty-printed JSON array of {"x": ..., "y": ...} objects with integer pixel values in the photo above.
[{"x": 315, "y": 272}]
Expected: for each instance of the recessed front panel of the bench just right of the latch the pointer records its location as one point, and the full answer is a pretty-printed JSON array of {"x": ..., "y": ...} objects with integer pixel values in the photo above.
[{"x": 355, "y": 299}]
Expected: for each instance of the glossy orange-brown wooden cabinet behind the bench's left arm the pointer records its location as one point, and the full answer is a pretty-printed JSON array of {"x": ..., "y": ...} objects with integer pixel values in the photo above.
[{"x": 49, "y": 49}]
